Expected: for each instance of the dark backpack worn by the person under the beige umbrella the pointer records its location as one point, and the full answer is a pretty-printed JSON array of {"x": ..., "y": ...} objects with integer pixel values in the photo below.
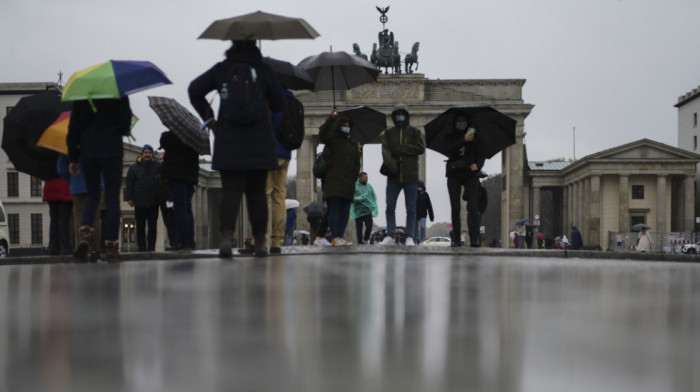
[{"x": 242, "y": 98}]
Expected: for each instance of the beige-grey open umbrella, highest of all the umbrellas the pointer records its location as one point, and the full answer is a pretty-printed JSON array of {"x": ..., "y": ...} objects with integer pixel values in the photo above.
[{"x": 259, "y": 25}]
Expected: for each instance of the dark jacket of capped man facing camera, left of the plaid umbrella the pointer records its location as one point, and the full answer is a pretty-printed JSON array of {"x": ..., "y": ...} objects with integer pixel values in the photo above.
[{"x": 141, "y": 183}]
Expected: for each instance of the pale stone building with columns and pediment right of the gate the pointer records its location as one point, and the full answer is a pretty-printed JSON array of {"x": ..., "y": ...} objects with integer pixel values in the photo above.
[{"x": 609, "y": 191}]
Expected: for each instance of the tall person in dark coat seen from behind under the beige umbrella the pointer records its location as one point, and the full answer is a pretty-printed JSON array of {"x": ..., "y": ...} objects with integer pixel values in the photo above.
[{"x": 243, "y": 153}]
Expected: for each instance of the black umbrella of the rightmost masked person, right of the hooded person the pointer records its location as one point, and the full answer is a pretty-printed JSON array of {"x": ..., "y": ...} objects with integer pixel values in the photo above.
[{"x": 496, "y": 130}]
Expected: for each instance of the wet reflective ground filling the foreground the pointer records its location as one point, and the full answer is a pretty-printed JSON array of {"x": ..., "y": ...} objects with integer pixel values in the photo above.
[{"x": 351, "y": 322}]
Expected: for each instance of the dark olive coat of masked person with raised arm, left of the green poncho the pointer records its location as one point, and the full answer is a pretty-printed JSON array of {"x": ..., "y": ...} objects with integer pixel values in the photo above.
[{"x": 343, "y": 157}]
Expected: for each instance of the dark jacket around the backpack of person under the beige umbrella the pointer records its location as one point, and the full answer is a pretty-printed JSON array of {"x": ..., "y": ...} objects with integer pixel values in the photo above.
[{"x": 240, "y": 147}]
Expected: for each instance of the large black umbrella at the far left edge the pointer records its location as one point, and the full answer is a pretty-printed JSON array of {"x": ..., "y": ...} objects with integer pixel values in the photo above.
[{"x": 23, "y": 127}]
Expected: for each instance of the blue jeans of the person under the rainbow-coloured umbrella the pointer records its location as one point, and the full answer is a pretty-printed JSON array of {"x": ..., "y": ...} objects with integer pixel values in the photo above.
[{"x": 111, "y": 171}]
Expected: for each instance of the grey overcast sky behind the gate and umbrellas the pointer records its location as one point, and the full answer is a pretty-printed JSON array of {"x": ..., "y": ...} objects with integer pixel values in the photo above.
[{"x": 611, "y": 68}]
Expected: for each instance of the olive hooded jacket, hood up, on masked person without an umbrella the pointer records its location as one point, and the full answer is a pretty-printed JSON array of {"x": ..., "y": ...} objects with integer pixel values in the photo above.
[{"x": 401, "y": 146}]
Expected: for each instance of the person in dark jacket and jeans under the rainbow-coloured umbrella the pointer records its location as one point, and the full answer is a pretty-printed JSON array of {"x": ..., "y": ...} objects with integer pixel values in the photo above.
[{"x": 95, "y": 147}]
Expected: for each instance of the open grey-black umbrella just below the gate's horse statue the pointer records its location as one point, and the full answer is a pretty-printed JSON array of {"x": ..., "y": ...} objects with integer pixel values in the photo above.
[{"x": 339, "y": 70}]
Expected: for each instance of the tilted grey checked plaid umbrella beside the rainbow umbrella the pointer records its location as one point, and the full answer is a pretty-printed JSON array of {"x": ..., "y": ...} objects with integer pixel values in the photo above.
[{"x": 182, "y": 123}]
